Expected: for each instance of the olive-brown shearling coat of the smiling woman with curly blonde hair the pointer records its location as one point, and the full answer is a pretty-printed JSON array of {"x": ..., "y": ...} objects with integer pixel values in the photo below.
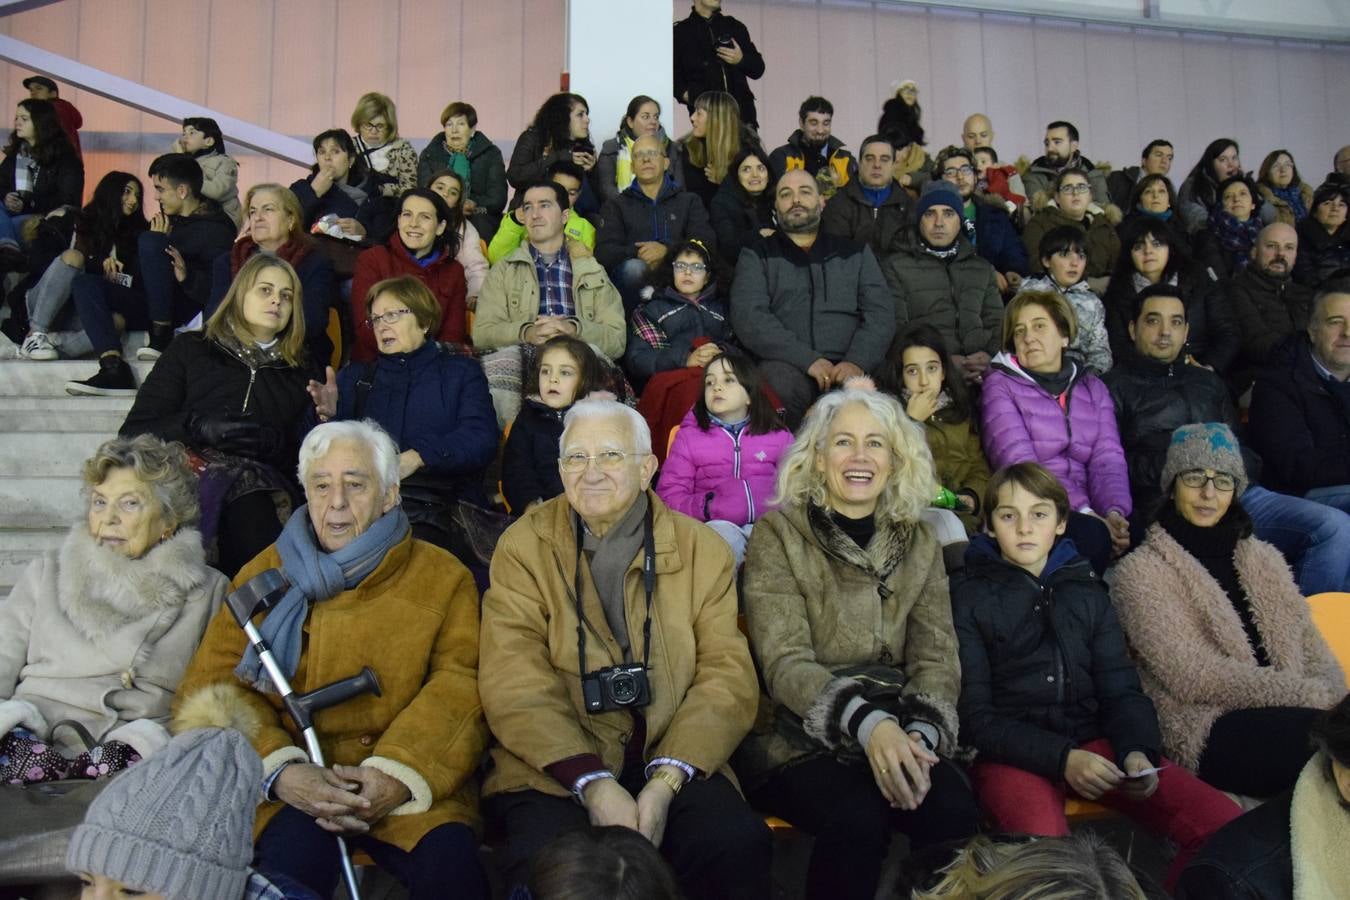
[{"x": 817, "y": 604}]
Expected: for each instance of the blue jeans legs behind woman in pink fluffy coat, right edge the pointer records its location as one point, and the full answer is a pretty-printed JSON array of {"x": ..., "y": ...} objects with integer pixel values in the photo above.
[{"x": 1314, "y": 538}]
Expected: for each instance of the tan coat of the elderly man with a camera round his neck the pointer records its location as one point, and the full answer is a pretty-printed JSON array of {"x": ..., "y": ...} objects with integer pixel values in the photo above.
[{"x": 701, "y": 673}]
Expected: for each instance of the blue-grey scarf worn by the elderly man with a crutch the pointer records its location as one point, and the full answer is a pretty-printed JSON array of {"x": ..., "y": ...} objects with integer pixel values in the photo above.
[{"x": 315, "y": 577}]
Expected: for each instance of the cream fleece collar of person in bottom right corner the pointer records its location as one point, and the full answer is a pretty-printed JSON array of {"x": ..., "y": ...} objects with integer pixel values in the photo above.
[{"x": 1320, "y": 836}]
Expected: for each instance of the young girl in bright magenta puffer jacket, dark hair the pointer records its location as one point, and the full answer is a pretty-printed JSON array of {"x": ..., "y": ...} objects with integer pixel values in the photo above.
[{"x": 724, "y": 461}]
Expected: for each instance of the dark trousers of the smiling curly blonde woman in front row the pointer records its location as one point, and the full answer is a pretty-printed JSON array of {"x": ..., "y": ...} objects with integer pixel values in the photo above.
[{"x": 853, "y": 822}]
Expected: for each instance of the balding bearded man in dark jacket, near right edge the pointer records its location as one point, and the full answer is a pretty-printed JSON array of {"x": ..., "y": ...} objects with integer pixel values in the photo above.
[{"x": 1267, "y": 303}]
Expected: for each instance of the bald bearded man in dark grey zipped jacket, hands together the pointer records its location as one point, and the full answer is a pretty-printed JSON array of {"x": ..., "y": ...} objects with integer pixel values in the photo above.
[{"x": 813, "y": 308}]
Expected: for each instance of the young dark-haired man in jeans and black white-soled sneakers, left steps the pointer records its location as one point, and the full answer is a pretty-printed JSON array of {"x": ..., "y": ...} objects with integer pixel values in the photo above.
[{"x": 176, "y": 257}]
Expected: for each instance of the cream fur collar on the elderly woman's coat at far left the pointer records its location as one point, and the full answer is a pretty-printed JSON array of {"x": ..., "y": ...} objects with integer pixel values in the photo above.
[{"x": 101, "y": 590}]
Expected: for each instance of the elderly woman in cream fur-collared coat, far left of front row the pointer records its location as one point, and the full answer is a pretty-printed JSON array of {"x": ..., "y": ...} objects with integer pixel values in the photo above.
[{"x": 95, "y": 636}]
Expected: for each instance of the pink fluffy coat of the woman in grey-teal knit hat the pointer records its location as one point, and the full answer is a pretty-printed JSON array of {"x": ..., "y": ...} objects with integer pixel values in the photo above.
[{"x": 1193, "y": 652}]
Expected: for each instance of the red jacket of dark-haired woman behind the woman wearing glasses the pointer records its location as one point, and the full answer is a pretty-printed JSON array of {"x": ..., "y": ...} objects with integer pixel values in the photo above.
[{"x": 445, "y": 279}]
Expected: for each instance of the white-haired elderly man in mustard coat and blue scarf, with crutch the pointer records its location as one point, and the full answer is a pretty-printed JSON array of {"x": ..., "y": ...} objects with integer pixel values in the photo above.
[{"x": 402, "y": 781}]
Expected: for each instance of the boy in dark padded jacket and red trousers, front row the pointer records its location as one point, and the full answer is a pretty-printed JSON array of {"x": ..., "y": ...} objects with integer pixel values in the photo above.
[{"x": 1050, "y": 697}]
